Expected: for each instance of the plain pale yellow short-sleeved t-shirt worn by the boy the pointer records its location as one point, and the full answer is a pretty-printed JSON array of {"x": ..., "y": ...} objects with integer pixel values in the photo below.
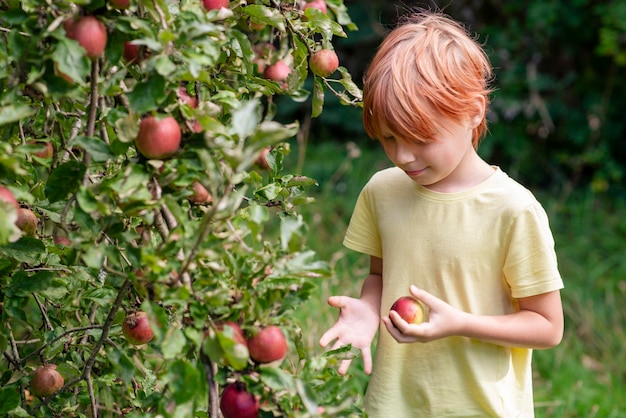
[{"x": 478, "y": 250}]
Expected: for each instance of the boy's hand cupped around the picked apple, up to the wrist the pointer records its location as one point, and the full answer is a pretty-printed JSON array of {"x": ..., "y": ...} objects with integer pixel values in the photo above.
[{"x": 443, "y": 320}]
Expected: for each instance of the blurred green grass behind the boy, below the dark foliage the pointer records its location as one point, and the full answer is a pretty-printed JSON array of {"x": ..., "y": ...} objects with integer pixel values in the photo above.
[{"x": 585, "y": 375}]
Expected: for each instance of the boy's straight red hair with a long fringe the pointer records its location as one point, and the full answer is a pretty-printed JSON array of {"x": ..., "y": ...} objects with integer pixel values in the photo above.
[{"x": 426, "y": 68}]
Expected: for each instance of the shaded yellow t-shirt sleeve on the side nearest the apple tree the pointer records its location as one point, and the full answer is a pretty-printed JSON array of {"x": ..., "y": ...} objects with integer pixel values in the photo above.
[{"x": 363, "y": 234}]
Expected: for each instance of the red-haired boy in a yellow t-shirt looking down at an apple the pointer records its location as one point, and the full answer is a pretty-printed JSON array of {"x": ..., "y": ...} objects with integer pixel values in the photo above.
[{"x": 471, "y": 244}]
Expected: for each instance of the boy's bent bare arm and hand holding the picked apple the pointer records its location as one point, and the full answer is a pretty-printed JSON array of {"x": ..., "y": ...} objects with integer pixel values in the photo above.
[{"x": 538, "y": 324}]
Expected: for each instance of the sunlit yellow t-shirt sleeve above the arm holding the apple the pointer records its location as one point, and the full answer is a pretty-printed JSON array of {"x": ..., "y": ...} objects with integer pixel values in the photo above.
[{"x": 531, "y": 266}]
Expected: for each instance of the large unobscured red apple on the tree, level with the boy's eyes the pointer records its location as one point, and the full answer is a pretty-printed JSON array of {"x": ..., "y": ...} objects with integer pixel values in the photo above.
[{"x": 158, "y": 138}]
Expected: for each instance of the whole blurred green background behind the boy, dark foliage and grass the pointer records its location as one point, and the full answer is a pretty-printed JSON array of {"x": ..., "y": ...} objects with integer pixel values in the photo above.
[{"x": 556, "y": 125}]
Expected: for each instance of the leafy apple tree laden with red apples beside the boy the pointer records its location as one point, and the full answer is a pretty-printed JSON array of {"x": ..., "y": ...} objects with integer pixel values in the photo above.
[{"x": 149, "y": 234}]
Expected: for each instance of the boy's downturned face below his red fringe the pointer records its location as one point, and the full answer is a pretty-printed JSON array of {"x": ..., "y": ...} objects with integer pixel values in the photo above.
[{"x": 440, "y": 163}]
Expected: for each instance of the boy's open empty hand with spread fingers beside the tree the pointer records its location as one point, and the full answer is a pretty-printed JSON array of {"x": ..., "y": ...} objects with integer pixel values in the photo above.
[{"x": 357, "y": 324}]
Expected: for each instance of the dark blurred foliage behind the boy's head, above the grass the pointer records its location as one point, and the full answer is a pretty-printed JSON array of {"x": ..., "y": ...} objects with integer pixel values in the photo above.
[{"x": 555, "y": 119}]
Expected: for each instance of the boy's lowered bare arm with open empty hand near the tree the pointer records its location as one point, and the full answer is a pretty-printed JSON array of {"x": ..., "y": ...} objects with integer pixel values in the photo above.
[{"x": 359, "y": 319}]
